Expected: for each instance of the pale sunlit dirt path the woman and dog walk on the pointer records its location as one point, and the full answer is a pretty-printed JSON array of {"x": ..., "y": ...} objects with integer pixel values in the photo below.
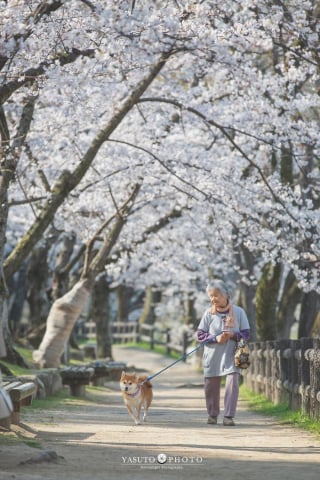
[{"x": 97, "y": 440}]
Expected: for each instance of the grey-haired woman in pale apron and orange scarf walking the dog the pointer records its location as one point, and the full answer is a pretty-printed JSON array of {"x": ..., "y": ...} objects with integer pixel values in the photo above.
[{"x": 221, "y": 326}]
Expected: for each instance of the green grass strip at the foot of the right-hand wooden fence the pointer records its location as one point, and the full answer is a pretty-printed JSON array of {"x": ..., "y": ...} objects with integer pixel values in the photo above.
[{"x": 260, "y": 404}]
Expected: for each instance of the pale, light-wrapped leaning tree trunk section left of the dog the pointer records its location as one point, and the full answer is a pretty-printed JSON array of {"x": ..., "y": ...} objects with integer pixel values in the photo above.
[{"x": 62, "y": 317}]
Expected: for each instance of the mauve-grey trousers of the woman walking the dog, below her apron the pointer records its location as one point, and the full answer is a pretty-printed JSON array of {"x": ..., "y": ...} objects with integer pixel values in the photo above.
[{"x": 231, "y": 394}]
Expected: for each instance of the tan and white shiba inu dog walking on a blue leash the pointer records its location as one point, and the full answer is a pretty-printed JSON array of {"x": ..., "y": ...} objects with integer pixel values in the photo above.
[{"x": 136, "y": 393}]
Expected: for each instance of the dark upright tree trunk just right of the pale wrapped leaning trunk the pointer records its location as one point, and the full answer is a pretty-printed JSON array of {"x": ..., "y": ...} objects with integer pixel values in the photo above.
[{"x": 101, "y": 317}]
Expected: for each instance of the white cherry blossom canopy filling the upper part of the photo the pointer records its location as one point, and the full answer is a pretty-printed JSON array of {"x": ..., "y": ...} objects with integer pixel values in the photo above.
[{"x": 214, "y": 106}]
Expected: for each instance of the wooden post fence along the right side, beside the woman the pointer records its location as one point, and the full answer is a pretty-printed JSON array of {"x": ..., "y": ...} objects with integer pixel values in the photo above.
[{"x": 287, "y": 371}]
